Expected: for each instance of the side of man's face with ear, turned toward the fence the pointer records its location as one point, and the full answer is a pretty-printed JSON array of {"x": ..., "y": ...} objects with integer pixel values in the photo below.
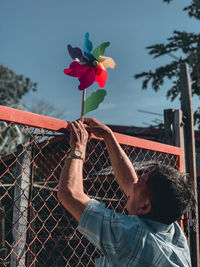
[{"x": 140, "y": 196}]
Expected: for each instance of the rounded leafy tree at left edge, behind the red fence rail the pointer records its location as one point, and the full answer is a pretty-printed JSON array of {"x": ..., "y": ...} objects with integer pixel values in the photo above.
[{"x": 12, "y": 88}]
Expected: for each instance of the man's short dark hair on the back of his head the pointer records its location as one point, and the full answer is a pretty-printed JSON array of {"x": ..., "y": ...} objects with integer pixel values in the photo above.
[{"x": 171, "y": 193}]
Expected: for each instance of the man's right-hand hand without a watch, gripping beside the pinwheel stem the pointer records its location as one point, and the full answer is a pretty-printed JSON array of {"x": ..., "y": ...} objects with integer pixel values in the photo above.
[{"x": 97, "y": 128}]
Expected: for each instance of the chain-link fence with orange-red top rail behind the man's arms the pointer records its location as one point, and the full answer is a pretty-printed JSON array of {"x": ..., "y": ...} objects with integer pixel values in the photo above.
[{"x": 35, "y": 230}]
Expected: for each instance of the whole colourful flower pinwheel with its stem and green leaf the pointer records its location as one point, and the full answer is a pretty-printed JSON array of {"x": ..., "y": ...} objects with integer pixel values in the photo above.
[{"x": 90, "y": 67}]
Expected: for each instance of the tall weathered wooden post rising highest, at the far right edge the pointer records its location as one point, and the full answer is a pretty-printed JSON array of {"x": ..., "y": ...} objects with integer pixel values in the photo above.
[{"x": 190, "y": 156}]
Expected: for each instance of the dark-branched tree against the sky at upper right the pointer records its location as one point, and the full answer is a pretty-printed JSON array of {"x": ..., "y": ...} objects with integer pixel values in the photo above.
[{"x": 188, "y": 46}]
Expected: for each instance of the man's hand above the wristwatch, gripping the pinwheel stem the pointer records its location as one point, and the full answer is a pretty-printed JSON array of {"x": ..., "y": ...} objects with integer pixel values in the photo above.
[{"x": 78, "y": 136}]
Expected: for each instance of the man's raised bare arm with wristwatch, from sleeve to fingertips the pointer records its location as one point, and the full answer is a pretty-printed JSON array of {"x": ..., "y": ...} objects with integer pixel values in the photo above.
[{"x": 70, "y": 187}]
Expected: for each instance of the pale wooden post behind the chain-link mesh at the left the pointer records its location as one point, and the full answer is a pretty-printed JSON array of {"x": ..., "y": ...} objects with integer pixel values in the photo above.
[{"x": 20, "y": 207}]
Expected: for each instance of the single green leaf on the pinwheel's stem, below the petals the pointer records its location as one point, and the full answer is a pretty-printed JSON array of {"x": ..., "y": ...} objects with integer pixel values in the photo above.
[{"x": 93, "y": 101}]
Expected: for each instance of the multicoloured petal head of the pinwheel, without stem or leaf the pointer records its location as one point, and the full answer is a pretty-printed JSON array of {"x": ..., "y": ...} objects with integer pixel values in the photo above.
[{"x": 89, "y": 67}]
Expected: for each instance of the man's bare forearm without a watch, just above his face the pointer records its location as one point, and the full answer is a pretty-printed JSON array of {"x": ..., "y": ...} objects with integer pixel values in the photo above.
[{"x": 123, "y": 168}]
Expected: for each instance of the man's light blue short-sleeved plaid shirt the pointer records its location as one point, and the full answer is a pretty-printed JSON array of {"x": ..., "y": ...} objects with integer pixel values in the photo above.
[{"x": 132, "y": 241}]
